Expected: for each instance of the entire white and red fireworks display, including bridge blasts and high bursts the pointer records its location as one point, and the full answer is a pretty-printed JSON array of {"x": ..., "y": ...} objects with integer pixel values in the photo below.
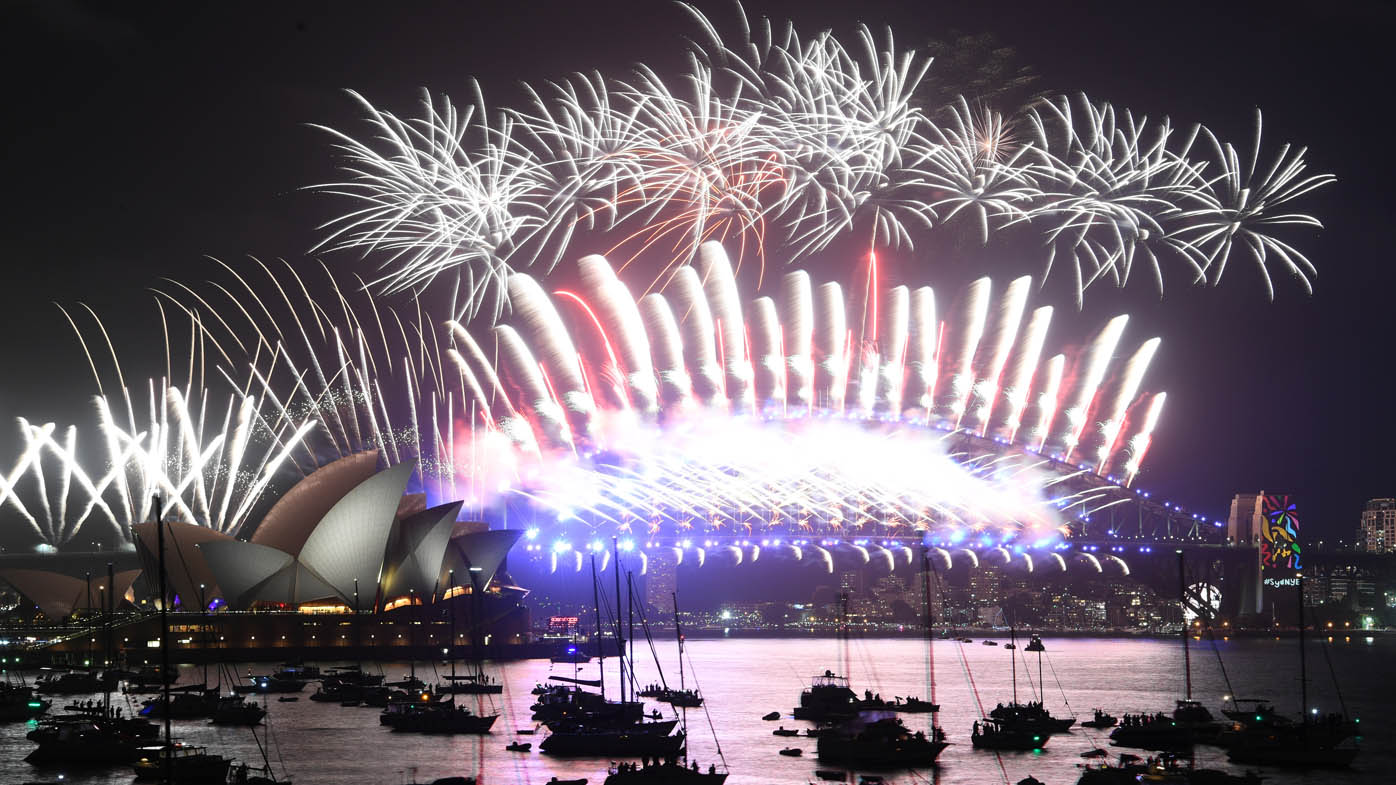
[{"x": 655, "y": 397}]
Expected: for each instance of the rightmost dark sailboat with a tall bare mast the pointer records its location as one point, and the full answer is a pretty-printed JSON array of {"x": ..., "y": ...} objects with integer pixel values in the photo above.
[{"x": 1312, "y": 742}]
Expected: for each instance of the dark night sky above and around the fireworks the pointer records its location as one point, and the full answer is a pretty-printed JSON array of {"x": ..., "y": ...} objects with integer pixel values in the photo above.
[{"x": 142, "y": 138}]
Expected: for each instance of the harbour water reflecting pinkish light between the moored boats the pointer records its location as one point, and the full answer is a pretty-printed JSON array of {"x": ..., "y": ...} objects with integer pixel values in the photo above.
[{"x": 742, "y": 680}]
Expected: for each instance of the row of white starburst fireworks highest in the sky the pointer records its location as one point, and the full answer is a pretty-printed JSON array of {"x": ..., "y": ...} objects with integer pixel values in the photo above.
[{"x": 780, "y": 142}]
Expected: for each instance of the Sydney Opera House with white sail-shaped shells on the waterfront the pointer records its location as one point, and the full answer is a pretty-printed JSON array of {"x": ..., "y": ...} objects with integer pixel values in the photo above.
[{"x": 348, "y": 540}]
